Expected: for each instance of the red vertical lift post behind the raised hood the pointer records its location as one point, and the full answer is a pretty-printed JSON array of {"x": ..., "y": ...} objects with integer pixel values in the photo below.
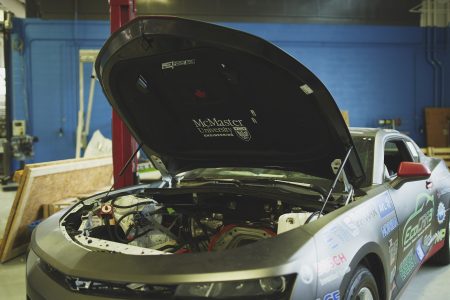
[{"x": 123, "y": 144}]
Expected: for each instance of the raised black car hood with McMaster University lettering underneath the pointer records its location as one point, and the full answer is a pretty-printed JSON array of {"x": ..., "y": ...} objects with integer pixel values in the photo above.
[{"x": 199, "y": 95}]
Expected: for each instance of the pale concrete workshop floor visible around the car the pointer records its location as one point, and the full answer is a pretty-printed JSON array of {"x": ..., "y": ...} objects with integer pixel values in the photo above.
[{"x": 431, "y": 282}]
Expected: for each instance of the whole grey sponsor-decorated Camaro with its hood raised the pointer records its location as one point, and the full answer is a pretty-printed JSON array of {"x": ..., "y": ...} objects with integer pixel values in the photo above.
[{"x": 265, "y": 193}]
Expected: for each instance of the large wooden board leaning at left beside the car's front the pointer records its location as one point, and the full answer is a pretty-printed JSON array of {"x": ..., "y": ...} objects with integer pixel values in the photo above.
[{"x": 46, "y": 183}]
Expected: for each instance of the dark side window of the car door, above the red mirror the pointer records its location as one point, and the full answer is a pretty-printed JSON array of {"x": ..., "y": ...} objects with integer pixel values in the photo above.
[{"x": 395, "y": 151}]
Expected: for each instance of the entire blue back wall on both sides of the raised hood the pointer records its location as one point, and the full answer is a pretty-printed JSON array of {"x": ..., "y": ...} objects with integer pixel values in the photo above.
[{"x": 374, "y": 72}]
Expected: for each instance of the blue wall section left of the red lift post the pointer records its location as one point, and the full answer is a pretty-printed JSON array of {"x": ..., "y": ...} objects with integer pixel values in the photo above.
[{"x": 45, "y": 82}]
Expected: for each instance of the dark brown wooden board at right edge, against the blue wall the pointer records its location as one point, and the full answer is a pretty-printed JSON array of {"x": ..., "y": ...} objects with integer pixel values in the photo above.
[{"x": 437, "y": 126}]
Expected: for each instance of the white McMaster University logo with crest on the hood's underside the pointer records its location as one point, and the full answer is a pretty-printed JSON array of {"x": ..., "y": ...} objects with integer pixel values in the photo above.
[{"x": 213, "y": 127}]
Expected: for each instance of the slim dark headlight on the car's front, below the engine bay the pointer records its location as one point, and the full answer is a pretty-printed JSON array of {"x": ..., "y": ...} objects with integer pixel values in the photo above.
[{"x": 265, "y": 288}]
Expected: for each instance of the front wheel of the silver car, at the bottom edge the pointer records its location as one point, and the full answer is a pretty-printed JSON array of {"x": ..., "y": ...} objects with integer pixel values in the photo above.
[{"x": 362, "y": 286}]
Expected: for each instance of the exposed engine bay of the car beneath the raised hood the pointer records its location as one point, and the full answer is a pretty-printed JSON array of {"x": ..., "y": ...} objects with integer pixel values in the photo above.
[{"x": 142, "y": 223}]
